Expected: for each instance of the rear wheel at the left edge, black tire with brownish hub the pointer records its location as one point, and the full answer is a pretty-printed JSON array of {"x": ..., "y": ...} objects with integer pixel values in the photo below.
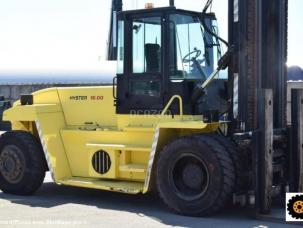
[{"x": 22, "y": 163}]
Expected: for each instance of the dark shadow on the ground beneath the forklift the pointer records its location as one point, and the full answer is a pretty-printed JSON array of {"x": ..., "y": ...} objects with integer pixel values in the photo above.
[{"x": 51, "y": 195}]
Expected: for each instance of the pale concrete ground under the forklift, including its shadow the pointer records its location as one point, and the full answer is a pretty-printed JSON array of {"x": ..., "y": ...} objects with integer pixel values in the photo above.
[{"x": 62, "y": 206}]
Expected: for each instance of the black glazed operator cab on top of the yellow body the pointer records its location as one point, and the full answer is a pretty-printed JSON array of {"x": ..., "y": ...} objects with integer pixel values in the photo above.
[{"x": 164, "y": 52}]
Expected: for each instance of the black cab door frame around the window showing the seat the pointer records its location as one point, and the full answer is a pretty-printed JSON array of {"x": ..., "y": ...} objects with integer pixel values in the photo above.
[{"x": 127, "y": 103}]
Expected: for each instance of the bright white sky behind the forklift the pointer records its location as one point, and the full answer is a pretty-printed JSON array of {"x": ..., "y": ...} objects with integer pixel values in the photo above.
[{"x": 46, "y": 35}]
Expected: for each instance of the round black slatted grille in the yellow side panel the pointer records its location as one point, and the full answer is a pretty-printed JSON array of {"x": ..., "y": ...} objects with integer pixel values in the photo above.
[{"x": 101, "y": 162}]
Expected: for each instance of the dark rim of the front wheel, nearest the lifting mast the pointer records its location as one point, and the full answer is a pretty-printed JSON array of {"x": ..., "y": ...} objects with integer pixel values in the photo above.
[{"x": 189, "y": 177}]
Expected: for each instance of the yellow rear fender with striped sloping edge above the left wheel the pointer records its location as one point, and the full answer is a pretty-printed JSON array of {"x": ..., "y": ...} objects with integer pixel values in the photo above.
[{"x": 48, "y": 119}]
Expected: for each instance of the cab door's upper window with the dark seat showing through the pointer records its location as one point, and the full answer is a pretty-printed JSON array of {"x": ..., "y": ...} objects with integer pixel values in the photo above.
[{"x": 146, "y": 45}]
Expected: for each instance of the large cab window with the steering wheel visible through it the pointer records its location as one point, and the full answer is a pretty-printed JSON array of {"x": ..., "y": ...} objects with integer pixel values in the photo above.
[{"x": 193, "y": 53}]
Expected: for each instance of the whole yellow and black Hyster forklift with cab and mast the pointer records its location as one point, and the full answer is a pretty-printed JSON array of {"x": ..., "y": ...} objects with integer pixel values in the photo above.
[{"x": 169, "y": 123}]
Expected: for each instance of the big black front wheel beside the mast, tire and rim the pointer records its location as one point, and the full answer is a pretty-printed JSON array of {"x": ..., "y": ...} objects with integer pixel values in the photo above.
[{"x": 207, "y": 183}]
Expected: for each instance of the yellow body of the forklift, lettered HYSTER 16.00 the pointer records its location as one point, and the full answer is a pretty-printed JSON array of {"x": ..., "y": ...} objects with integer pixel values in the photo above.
[{"x": 74, "y": 123}]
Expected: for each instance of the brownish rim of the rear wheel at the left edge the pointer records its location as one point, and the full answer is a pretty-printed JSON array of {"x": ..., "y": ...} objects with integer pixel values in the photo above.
[{"x": 12, "y": 164}]
